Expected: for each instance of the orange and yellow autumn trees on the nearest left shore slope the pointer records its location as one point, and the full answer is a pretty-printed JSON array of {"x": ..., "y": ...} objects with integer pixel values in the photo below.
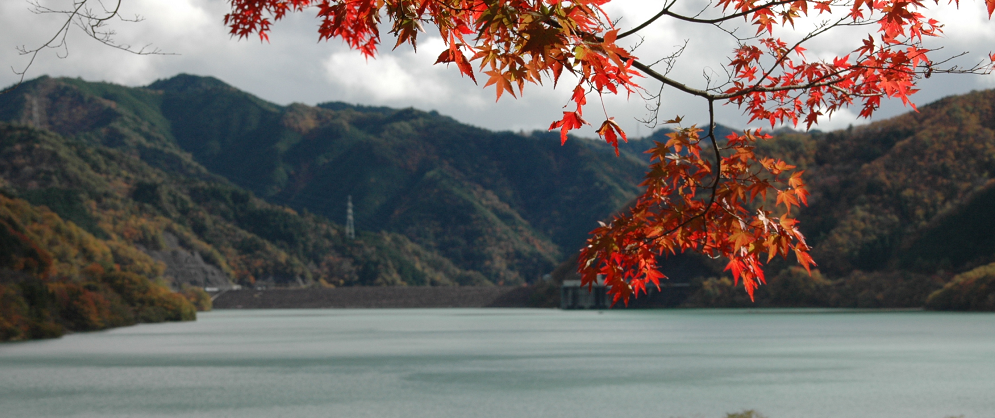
[{"x": 55, "y": 277}]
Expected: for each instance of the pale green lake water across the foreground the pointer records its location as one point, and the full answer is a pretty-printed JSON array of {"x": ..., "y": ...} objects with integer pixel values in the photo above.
[{"x": 513, "y": 363}]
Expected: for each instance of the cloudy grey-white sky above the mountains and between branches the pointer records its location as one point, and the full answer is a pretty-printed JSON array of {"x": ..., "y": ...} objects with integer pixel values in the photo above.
[{"x": 294, "y": 67}]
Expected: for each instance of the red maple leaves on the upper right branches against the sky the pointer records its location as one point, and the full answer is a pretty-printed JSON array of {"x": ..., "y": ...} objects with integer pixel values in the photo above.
[{"x": 788, "y": 89}]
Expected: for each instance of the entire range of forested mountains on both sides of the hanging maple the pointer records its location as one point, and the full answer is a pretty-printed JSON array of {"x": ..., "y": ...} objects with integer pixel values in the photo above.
[{"x": 194, "y": 182}]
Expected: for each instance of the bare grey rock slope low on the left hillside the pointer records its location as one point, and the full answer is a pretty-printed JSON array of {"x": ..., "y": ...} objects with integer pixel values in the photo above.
[{"x": 187, "y": 267}]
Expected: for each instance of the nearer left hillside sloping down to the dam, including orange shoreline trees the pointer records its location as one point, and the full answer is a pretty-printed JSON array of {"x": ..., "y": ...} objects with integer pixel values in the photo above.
[{"x": 84, "y": 230}]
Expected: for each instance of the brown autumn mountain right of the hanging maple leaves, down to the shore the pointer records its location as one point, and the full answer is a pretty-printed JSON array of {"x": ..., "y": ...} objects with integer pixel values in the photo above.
[{"x": 898, "y": 208}]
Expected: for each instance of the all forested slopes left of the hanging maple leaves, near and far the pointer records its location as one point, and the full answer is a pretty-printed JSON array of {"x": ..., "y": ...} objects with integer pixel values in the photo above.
[{"x": 115, "y": 195}]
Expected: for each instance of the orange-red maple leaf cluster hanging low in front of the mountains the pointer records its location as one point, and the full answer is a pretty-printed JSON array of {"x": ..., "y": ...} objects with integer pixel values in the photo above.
[{"x": 714, "y": 207}]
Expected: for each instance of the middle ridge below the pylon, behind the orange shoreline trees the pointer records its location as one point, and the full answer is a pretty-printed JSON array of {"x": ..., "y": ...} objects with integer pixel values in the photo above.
[{"x": 118, "y": 197}]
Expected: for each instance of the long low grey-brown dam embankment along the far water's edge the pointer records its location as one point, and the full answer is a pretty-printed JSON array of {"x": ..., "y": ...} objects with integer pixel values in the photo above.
[{"x": 377, "y": 297}]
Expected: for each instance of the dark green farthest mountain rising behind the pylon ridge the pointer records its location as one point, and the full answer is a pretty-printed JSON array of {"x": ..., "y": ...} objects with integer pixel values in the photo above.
[{"x": 504, "y": 205}]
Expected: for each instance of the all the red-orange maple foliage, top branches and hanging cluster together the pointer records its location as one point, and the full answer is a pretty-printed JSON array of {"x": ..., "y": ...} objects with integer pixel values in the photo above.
[{"x": 705, "y": 194}]
